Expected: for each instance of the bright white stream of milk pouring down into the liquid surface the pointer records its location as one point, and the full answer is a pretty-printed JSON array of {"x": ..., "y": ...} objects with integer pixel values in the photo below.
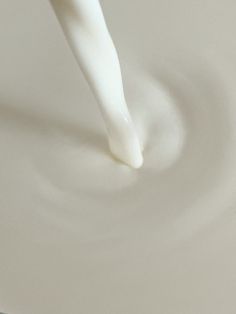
[{"x": 87, "y": 34}]
